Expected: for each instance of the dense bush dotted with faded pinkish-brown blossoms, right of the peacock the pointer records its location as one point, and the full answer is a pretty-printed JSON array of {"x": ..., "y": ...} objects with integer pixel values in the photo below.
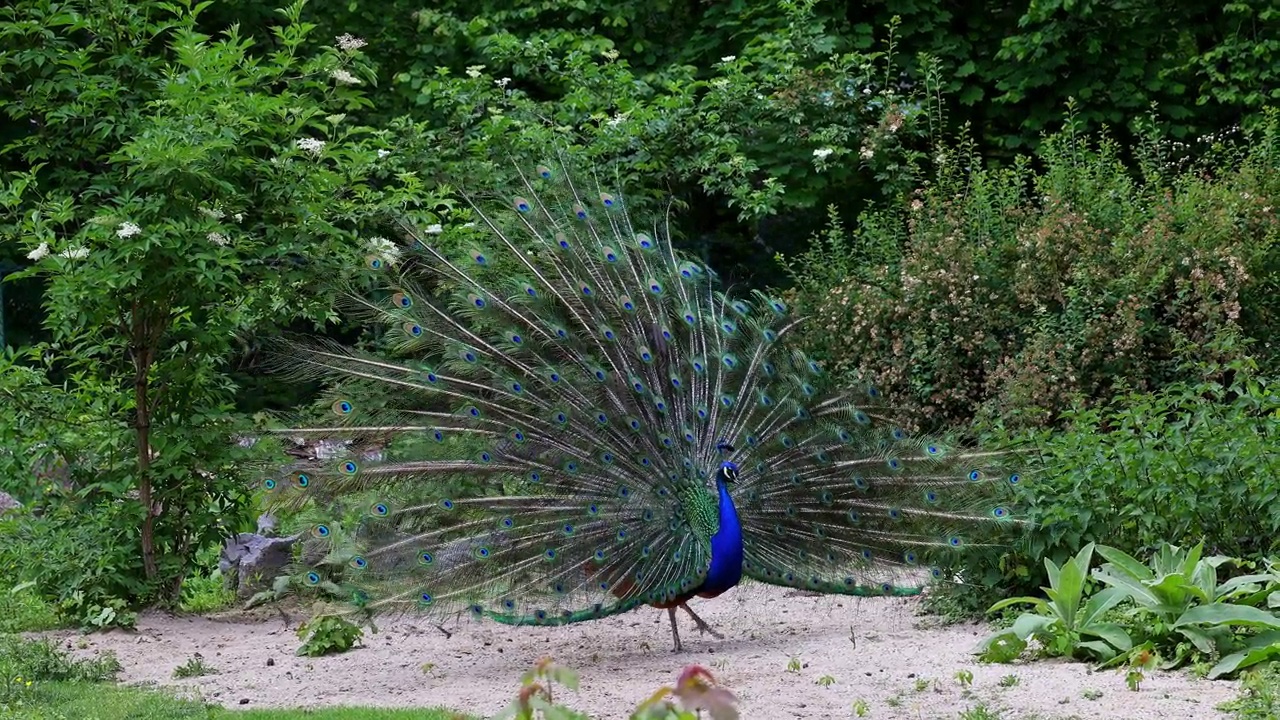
[{"x": 1009, "y": 293}]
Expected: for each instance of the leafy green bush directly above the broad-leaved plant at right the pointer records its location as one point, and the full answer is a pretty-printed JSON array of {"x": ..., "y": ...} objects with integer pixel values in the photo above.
[{"x": 1191, "y": 463}]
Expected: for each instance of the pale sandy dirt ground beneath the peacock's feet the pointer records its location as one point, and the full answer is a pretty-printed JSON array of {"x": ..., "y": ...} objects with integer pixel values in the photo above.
[{"x": 876, "y": 651}]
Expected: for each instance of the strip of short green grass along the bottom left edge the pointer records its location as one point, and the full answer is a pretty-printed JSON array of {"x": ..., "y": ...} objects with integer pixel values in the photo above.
[{"x": 86, "y": 701}]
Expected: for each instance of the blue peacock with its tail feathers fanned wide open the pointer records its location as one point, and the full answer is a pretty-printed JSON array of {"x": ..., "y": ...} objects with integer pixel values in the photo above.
[{"x": 580, "y": 421}]
